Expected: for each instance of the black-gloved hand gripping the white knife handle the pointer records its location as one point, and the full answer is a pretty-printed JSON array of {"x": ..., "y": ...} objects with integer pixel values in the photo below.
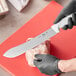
[{"x": 69, "y": 9}]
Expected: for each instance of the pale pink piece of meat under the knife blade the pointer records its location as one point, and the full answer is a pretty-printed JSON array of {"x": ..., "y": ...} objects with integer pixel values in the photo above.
[{"x": 43, "y": 48}]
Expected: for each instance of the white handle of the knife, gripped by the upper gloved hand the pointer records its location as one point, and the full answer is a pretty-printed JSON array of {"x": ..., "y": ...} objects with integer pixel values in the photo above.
[{"x": 61, "y": 24}]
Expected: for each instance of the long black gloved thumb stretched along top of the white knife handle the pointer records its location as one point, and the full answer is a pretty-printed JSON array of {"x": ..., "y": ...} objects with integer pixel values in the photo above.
[{"x": 67, "y": 10}]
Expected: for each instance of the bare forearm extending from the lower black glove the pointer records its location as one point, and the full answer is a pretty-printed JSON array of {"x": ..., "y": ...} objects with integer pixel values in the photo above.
[{"x": 67, "y": 65}]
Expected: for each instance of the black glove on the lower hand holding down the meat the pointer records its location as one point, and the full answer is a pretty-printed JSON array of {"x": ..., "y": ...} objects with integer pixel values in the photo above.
[{"x": 47, "y": 64}]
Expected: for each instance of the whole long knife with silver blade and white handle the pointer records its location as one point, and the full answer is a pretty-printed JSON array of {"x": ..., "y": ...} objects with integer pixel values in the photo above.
[{"x": 19, "y": 50}]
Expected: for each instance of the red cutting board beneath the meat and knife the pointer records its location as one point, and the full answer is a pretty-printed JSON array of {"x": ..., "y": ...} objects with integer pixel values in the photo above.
[{"x": 63, "y": 45}]
